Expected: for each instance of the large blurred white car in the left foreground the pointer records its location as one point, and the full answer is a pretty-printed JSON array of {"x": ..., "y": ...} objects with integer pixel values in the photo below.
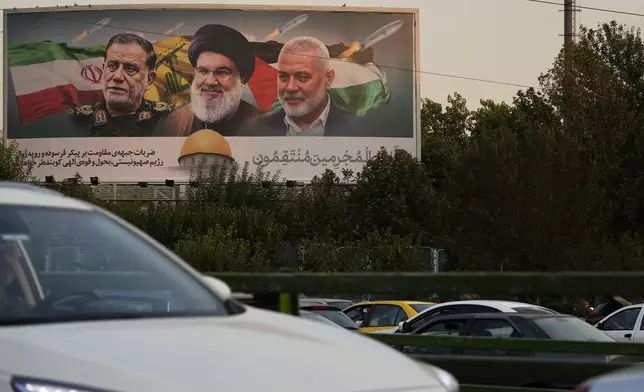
[{"x": 89, "y": 303}]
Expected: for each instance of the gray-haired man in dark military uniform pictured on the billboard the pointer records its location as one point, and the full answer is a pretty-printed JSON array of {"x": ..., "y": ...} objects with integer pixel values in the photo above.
[{"x": 128, "y": 70}]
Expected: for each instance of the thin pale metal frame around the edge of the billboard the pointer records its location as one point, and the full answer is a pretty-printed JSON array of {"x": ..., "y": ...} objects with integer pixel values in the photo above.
[{"x": 228, "y": 7}]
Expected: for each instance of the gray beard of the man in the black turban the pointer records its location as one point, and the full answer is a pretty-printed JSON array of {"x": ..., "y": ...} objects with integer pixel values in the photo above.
[{"x": 212, "y": 111}]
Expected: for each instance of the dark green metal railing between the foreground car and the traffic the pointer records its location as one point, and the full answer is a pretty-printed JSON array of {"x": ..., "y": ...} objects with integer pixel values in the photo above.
[{"x": 508, "y": 373}]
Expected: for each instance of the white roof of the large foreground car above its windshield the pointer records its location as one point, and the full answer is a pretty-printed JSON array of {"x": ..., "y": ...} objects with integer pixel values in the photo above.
[{"x": 20, "y": 194}]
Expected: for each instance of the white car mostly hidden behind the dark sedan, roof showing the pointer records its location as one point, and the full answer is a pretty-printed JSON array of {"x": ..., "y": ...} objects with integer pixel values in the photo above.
[{"x": 462, "y": 307}]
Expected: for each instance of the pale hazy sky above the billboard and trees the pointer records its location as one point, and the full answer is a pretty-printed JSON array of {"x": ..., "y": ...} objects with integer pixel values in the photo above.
[{"x": 505, "y": 41}]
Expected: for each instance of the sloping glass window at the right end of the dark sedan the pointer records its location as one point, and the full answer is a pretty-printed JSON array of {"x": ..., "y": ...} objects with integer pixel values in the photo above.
[{"x": 571, "y": 328}]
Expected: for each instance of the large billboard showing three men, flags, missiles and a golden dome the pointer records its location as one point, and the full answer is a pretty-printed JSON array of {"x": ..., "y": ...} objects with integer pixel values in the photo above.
[{"x": 136, "y": 94}]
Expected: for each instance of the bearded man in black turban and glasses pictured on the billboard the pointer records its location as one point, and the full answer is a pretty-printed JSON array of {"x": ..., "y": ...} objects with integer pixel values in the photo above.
[{"x": 224, "y": 61}]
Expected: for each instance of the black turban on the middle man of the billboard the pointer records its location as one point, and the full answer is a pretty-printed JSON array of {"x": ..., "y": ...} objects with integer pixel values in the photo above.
[{"x": 225, "y": 41}]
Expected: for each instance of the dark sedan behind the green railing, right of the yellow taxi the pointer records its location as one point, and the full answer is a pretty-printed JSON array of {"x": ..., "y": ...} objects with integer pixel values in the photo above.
[{"x": 505, "y": 326}]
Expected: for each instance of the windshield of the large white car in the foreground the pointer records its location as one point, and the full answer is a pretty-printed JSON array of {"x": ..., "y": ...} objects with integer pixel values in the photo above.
[{"x": 66, "y": 265}]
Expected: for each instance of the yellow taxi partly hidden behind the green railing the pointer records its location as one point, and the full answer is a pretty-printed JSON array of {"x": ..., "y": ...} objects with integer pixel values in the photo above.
[{"x": 373, "y": 316}]
